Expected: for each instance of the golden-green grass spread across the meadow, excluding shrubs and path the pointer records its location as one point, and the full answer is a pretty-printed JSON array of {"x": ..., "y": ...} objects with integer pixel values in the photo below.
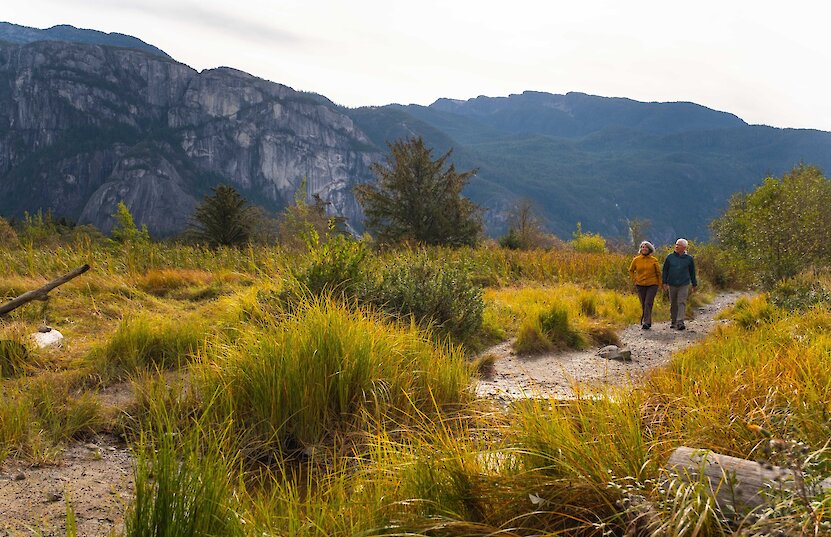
[{"x": 431, "y": 461}]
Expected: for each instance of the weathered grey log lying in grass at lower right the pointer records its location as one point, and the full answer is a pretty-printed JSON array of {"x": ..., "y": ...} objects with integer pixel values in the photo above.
[{"x": 737, "y": 482}]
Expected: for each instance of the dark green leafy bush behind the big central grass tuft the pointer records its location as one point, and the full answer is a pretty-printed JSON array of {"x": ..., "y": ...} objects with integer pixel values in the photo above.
[{"x": 430, "y": 291}]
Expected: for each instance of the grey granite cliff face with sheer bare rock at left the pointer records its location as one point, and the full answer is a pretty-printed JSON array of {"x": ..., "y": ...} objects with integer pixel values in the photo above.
[{"x": 83, "y": 127}]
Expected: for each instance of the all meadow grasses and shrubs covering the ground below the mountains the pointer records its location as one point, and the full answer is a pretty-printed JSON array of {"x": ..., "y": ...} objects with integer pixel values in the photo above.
[{"x": 280, "y": 391}]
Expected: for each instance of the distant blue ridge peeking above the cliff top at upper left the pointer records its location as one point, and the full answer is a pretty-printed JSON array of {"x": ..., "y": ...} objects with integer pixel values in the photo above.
[{"x": 13, "y": 33}]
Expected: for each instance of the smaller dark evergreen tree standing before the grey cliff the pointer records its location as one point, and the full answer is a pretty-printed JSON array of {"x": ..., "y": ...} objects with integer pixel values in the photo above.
[{"x": 224, "y": 218}]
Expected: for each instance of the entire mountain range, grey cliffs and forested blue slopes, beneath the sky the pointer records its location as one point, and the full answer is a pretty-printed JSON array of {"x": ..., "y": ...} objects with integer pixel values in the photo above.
[{"x": 88, "y": 119}]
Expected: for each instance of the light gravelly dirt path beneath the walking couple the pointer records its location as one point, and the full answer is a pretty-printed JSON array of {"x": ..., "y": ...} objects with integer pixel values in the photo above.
[{"x": 554, "y": 375}]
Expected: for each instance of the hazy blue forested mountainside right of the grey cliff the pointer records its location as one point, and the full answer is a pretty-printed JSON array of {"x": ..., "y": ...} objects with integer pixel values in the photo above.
[{"x": 602, "y": 161}]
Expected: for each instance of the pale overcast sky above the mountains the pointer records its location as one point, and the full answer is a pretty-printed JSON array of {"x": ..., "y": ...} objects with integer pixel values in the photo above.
[{"x": 767, "y": 62}]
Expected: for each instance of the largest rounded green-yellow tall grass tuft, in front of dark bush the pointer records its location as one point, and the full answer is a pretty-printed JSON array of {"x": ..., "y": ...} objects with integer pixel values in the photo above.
[{"x": 297, "y": 382}]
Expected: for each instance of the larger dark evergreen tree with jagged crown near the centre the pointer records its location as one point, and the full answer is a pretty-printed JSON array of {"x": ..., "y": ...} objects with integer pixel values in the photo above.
[{"x": 419, "y": 199}]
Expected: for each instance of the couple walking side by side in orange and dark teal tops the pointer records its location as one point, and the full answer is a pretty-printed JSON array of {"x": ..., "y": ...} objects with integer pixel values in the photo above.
[{"x": 677, "y": 276}]
